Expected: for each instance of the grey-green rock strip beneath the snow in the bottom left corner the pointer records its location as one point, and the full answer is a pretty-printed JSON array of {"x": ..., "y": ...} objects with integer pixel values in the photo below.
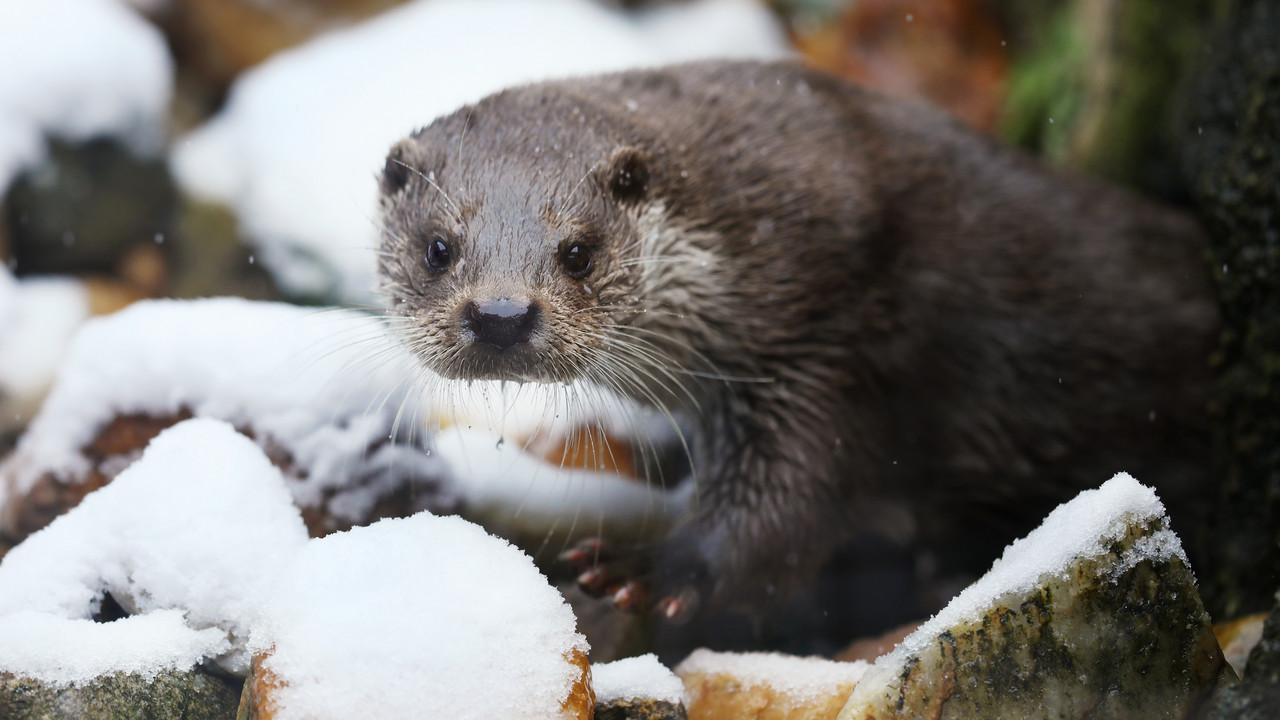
[{"x": 193, "y": 695}]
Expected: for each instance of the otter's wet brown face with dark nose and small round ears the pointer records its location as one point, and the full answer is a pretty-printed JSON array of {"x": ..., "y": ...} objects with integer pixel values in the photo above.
[{"x": 504, "y": 271}]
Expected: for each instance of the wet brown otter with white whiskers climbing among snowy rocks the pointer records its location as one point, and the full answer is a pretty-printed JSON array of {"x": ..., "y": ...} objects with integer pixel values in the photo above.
[{"x": 875, "y": 321}]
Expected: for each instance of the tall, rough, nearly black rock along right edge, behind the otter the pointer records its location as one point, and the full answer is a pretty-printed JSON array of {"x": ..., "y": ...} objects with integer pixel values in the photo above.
[{"x": 1233, "y": 153}]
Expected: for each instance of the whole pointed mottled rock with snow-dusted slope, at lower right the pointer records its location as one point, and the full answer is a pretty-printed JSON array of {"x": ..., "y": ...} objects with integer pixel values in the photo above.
[{"x": 1092, "y": 616}]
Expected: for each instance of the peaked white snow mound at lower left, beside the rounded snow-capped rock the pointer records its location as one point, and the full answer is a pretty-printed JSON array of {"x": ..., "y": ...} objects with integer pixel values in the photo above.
[{"x": 189, "y": 537}]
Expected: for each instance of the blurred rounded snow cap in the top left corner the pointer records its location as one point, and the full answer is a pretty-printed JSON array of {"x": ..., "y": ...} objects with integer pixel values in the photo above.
[{"x": 77, "y": 70}]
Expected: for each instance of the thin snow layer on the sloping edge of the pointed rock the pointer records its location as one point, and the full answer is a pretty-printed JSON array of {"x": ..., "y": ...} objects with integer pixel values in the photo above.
[{"x": 1086, "y": 527}]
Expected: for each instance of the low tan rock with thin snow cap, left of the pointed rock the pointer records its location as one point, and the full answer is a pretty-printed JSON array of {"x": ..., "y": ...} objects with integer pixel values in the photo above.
[{"x": 756, "y": 686}]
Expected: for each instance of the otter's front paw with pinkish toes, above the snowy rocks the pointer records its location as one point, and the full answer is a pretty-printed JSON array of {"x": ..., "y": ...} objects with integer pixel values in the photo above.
[{"x": 636, "y": 580}]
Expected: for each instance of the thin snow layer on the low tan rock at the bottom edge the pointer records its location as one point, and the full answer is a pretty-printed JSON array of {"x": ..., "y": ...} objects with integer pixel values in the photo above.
[{"x": 802, "y": 678}]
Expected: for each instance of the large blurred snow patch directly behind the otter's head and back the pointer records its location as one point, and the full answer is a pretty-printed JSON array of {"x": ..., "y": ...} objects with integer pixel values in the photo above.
[{"x": 303, "y": 138}]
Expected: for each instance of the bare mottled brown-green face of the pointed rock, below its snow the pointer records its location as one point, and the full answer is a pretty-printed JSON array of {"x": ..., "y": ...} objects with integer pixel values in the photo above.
[{"x": 1117, "y": 636}]
